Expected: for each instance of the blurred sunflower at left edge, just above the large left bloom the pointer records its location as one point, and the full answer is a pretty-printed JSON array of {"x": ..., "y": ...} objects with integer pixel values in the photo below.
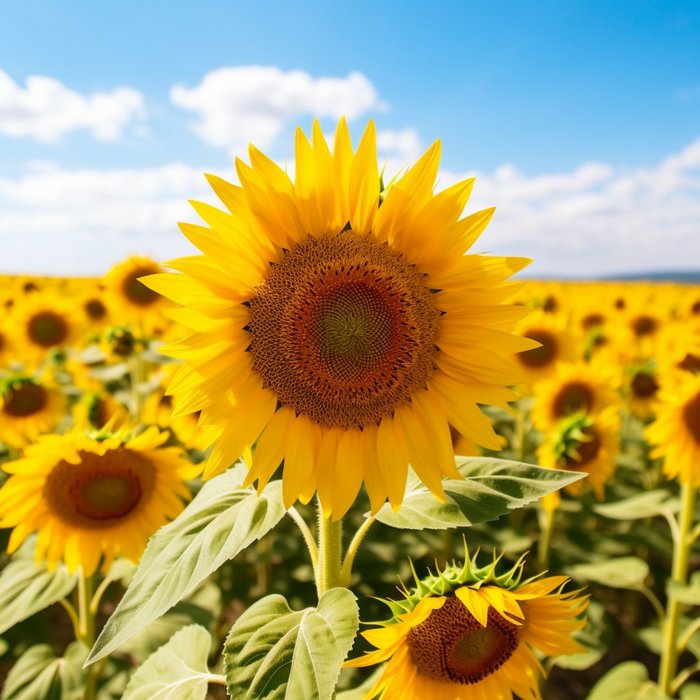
[{"x": 28, "y": 408}]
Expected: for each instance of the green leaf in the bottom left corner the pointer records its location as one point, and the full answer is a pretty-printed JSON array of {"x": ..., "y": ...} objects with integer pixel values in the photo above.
[{"x": 39, "y": 675}]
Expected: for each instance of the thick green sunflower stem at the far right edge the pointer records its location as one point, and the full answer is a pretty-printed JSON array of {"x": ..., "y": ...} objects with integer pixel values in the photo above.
[{"x": 681, "y": 555}]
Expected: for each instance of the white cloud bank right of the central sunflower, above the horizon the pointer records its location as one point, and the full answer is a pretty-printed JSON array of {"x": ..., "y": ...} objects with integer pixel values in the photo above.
[{"x": 597, "y": 219}]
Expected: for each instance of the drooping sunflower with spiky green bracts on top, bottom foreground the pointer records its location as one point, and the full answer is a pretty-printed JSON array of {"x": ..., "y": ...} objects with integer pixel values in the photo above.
[{"x": 467, "y": 634}]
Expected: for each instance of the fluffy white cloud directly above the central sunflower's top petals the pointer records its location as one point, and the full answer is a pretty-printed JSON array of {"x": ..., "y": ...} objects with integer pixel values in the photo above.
[{"x": 251, "y": 104}]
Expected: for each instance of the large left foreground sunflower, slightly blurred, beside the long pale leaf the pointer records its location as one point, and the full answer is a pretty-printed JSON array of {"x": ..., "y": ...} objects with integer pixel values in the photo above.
[{"x": 92, "y": 497}]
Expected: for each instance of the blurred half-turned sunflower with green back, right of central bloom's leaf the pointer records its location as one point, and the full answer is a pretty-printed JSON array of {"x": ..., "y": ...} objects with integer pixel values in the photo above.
[{"x": 584, "y": 443}]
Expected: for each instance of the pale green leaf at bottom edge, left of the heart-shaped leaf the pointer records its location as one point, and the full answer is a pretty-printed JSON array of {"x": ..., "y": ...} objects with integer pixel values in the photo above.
[{"x": 177, "y": 671}]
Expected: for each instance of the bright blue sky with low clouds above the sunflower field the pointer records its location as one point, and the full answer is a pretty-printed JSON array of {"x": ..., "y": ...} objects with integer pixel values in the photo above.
[{"x": 570, "y": 111}]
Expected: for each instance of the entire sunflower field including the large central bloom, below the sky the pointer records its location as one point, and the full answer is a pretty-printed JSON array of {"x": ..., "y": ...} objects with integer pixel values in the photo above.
[{"x": 341, "y": 455}]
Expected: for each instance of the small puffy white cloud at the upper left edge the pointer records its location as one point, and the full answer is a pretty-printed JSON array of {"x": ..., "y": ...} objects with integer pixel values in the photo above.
[{"x": 46, "y": 110}]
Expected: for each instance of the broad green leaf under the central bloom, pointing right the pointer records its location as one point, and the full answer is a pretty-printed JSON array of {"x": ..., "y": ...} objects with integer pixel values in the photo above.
[{"x": 492, "y": 487}]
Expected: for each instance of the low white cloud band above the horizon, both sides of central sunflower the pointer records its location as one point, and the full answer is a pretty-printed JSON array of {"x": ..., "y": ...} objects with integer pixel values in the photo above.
[{"x": 594, "y": 220}]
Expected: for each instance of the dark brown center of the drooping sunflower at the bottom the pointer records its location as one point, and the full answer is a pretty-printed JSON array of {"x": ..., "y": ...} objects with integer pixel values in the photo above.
[{"x": 451, "y": 646}]
